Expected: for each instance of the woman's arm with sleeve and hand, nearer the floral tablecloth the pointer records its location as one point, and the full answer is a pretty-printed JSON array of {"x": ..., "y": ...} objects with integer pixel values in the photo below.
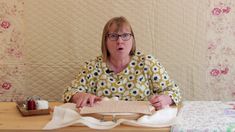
[{"x": 165, "y": 91}]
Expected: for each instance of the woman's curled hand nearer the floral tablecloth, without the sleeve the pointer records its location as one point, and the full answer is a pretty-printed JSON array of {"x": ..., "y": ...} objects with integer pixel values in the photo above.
[{"x": 160, "y": 101}]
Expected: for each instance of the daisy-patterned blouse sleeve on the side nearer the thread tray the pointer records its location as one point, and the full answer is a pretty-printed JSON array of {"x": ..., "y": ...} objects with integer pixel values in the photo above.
[{"x": 80, "y": 83}]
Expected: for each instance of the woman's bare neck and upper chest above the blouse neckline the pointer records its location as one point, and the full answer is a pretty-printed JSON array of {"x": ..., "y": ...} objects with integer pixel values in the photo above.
[{"x": 118, "y": 64}]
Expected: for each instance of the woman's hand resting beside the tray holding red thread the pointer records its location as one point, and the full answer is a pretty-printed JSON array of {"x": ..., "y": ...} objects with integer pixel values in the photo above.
[{"x": 85, "y": 99}]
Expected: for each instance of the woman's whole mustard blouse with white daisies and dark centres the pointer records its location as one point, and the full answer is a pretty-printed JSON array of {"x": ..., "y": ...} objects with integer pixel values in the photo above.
[{"x": 143, "y": 77}]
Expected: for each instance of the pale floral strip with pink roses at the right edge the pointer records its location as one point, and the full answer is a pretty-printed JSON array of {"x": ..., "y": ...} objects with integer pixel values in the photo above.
[{"x": 221, "y": 48}]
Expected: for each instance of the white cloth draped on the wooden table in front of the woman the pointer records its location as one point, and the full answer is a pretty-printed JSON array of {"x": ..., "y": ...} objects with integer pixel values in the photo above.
[{"x": 66, "y": 115}]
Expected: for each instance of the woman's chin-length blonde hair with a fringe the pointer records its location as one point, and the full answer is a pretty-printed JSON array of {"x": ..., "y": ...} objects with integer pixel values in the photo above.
[{"x": 120, "y": 22}]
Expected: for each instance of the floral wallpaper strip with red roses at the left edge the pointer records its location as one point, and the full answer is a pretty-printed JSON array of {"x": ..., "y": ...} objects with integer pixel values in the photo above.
[{"x": 11, "y": 48}]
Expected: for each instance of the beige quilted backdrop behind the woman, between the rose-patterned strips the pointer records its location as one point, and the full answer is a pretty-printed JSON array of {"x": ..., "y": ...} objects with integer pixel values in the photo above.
[{"x": 59, "y": 35}]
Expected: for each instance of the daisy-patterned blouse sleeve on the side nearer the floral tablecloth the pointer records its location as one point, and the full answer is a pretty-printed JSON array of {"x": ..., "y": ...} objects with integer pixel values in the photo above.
[{"x": 160, "y": 80}]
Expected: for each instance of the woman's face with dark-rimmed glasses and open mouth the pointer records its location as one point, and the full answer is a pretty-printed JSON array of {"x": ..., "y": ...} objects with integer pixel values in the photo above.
[{"x": 122, "y": 46}]
